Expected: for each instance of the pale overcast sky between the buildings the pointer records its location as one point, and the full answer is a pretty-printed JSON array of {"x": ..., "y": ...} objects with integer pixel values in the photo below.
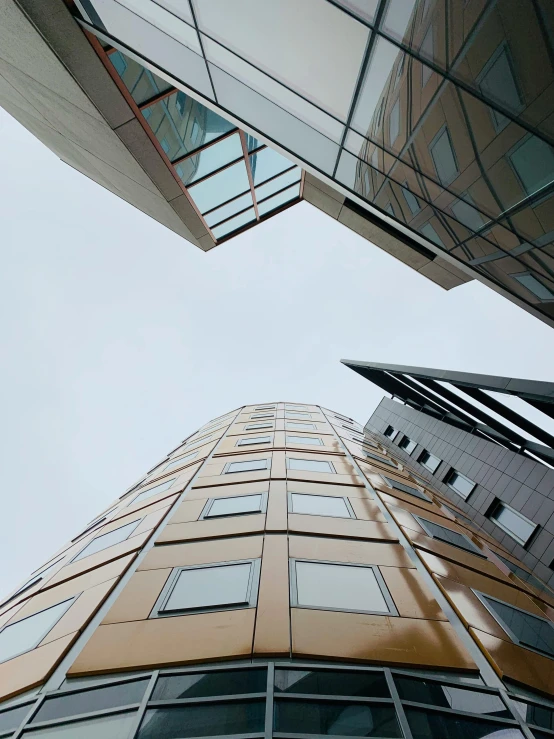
[{"x": 120, "y": 339}]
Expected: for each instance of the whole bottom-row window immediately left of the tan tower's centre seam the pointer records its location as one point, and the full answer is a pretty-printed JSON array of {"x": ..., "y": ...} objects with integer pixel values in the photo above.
[{"x": 218, "y": 587}]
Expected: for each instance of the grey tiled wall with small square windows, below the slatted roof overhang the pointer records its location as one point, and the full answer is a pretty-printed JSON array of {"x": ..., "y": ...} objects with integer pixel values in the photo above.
[{"x": 523, "y": 484}]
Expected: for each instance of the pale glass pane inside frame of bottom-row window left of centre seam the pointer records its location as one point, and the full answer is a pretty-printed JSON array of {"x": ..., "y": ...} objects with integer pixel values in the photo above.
[{"x": 206, "y": 587}]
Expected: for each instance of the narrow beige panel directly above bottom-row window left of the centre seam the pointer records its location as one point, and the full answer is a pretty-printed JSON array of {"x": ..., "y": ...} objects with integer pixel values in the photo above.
[{"x": 203, "y": 552}]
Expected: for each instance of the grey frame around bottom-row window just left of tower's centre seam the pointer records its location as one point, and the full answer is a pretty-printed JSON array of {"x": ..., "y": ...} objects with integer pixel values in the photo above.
[{"x": 253, "y": 586}]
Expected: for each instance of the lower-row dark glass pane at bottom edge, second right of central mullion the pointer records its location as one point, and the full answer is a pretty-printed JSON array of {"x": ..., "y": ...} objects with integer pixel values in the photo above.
[{"x": 449, "y": 726}]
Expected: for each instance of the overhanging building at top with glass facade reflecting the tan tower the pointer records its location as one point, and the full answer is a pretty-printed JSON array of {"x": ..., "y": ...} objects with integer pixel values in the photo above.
[{"x": 423, "y": 125}]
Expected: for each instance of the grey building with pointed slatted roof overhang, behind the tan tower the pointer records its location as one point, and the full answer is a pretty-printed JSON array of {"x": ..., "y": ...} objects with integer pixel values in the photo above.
[{"x": 457, "y": 432}]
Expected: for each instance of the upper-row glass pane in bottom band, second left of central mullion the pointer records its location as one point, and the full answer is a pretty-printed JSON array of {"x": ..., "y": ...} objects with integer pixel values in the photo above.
[{"x": 87, "y": 701}]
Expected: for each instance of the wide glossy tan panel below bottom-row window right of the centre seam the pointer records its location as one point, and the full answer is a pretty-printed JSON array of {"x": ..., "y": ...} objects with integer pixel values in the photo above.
[{"x": 357, "y": 637}]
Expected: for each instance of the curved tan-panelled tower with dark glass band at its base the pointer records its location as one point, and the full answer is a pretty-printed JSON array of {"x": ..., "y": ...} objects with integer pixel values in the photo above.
[{"x": 279, "y": 573}]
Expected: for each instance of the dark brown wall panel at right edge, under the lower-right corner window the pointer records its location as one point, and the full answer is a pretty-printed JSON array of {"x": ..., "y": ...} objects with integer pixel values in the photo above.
[{"x": 520, "y": 664}]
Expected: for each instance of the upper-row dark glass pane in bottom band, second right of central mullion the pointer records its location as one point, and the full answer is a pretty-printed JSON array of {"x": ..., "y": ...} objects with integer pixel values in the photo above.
[{"x": 459, "y": 699}]
